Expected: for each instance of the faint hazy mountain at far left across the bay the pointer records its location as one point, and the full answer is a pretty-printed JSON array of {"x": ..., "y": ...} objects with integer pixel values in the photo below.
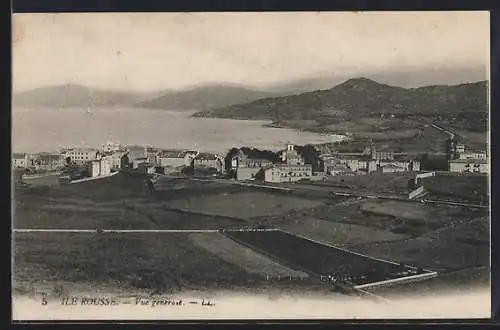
[{"x": 64, "y": 96}]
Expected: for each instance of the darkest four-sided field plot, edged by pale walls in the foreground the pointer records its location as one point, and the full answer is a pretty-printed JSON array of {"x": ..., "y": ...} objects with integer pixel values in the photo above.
[{"x": 320, "y": 259}]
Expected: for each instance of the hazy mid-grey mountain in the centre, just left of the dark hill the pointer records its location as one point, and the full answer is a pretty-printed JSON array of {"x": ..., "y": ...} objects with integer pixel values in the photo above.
[{"x": 205, "y": 97}]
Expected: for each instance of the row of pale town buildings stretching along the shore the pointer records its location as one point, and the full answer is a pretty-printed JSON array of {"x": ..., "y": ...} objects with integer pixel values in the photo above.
[{"x": 292, "y": 164}]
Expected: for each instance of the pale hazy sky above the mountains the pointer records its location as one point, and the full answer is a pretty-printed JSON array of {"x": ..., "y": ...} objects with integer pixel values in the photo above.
[{"x": 153, "y": 51}]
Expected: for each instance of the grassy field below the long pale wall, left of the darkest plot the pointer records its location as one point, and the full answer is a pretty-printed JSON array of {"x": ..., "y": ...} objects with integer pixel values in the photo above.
[{"x": 161, "y": 263}]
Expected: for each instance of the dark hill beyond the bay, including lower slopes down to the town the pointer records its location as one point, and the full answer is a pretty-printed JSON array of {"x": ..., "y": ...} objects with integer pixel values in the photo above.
[{"x": 366, "y": 109}]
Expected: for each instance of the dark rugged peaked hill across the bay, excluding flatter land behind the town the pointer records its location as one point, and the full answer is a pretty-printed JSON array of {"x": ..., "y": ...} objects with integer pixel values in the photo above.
[{"x": 361, "y": 98}]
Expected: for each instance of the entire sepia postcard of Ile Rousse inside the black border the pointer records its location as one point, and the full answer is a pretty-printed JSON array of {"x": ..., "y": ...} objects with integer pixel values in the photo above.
[{"x": 251, "y": 165}]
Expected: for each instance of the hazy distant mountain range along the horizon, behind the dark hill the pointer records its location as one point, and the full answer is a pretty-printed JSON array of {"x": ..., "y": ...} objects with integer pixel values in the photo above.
[{"x": 217, "y": 95}]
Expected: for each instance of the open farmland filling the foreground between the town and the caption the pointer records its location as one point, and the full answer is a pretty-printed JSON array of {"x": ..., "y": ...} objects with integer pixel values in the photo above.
[{"x": 444, "y": 238}]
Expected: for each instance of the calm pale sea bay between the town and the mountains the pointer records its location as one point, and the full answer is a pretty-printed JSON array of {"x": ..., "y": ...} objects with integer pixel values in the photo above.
[{"x": 37, "y": 130}]
